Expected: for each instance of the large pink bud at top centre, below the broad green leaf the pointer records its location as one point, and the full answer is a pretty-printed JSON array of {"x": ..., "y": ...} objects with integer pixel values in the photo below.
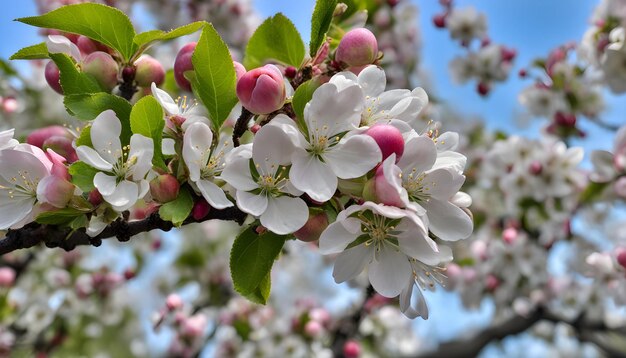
[{"x": 262, "y": 90}]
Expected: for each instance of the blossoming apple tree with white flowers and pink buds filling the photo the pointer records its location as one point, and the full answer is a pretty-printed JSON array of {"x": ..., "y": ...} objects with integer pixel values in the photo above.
[{"x": 303, "y": 149}]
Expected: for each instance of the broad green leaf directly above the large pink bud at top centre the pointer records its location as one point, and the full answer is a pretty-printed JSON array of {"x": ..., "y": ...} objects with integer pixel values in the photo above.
[{"x": 276, "y": 40}]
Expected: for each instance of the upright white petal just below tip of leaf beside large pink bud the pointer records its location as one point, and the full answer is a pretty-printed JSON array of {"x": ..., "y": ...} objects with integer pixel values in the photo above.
[{"x": 196, "y": 148}]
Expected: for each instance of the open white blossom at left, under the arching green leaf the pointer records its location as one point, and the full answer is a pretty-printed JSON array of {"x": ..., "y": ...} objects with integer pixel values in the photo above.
[{"x": 121, "y": 170}]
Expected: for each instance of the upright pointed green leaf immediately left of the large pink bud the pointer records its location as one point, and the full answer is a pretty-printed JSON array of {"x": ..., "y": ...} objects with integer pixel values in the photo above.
[{"x": 215, "y": 80}]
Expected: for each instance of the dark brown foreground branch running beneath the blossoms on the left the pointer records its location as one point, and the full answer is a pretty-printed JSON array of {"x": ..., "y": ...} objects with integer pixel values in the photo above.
[{"x": 53, "y": 236}]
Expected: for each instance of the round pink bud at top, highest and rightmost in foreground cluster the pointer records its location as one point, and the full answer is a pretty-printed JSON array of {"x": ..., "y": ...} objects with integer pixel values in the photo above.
[{"x": 358, "y": 47}]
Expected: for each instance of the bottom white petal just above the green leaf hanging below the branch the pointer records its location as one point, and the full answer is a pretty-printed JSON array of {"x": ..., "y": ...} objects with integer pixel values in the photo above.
[{"x": 285, "y": 215}]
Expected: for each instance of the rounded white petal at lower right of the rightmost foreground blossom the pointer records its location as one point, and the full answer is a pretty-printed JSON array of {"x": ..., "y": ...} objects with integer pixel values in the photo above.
[{"x": 448, "y": 221}]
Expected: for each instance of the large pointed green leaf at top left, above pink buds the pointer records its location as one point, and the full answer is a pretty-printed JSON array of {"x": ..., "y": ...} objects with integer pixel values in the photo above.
[{"x": 102, "y": 23}]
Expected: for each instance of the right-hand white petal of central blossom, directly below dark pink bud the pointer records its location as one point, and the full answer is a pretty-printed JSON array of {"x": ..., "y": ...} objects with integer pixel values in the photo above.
[{"x": 354, "y": 157}]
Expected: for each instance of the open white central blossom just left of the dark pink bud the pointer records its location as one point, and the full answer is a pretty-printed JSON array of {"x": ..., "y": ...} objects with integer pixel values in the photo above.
[{"x": 320, "y": 155}]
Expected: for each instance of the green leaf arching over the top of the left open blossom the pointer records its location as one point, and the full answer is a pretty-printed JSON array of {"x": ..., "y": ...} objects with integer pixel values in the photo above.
[{"x": 88, "y": 106}]
